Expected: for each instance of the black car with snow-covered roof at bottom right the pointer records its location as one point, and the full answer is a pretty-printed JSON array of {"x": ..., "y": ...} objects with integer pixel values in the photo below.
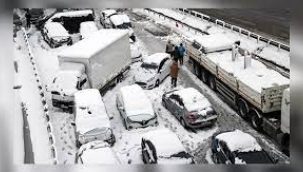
[{"x": 238, "y": 147}]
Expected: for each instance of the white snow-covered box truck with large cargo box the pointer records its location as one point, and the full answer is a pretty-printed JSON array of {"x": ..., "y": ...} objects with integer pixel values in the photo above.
[{"x": 98, "y": 61}]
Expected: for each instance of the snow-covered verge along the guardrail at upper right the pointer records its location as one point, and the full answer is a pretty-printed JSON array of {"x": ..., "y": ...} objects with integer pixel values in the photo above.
[{"x": 269, "y": 52}]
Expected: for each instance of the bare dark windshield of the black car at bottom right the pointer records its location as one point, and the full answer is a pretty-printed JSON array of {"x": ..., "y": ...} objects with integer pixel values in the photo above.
[{"x": 256, "y": 157}]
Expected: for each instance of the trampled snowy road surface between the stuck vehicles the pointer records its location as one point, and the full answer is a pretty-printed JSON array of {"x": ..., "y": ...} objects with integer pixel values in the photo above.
[{"x": 128, "y": 146}]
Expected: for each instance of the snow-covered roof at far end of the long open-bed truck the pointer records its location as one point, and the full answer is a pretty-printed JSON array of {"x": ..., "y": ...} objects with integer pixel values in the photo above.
[{"x": 215, "y": 42}]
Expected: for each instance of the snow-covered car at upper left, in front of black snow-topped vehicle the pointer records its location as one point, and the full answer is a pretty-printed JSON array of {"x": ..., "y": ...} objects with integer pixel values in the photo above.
[{"x": 55, "y": 34}]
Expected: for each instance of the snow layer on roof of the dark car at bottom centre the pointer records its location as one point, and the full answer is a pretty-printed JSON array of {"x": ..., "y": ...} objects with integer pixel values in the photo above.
[{"x": 165, "y": 141}]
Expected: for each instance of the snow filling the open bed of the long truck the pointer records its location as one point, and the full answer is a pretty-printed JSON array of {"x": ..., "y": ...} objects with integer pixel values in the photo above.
[{"x": 257, "y": 76}]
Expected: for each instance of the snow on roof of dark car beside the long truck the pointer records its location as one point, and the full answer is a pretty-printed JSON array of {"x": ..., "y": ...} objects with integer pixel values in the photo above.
[{"x": 192, "y": 99}]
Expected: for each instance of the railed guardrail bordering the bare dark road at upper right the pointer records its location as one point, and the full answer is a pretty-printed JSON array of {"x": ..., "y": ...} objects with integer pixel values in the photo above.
[{"x": 235, "y": 28}]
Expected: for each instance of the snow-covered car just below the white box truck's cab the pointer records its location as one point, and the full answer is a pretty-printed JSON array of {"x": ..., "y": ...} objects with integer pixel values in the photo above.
[{"x": 92, "y": 121}]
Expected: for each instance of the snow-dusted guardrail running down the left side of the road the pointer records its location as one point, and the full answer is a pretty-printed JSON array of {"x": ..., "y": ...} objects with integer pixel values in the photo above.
[{"x": 49, "y": 126}]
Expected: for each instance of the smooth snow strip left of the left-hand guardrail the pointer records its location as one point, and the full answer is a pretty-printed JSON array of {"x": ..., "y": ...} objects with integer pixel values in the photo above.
[{"x": 29, "y": 94}]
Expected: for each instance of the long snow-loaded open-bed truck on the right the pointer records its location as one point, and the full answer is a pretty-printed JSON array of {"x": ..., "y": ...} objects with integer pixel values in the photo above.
[{"x": 245, "y": 83}]
